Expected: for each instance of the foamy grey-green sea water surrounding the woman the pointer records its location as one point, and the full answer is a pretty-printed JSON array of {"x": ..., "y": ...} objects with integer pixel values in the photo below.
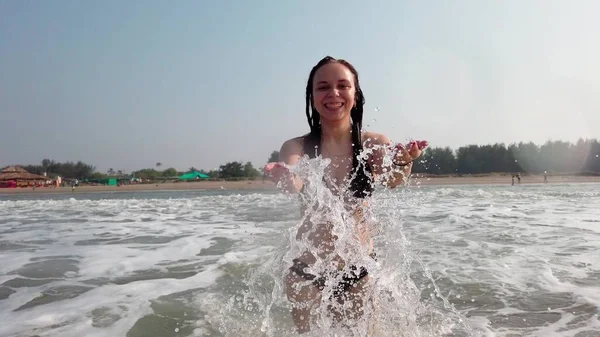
[{"x": 464, "y": 260}]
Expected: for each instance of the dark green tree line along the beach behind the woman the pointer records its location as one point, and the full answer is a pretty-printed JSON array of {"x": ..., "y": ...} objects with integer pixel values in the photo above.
[{"x": 581, "y": 157}]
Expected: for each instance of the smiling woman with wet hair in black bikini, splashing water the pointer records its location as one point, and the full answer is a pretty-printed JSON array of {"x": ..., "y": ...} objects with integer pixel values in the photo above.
[{"x": 334, "y": 109}]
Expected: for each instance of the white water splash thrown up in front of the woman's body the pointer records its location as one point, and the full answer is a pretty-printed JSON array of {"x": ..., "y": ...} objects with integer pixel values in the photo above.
[{"x": 400, "y": 298}]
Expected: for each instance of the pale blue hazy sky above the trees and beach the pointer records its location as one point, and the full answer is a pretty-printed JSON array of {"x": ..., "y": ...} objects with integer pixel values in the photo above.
[{"x": 126, "y": 84}]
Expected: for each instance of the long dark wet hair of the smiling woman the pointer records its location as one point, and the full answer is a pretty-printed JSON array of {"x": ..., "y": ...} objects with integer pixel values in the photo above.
[{"x": 361, "y": 184}]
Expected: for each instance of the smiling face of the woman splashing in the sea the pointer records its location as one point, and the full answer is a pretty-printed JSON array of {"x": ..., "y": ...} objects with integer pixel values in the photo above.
[{"x": 334, "y": 92}]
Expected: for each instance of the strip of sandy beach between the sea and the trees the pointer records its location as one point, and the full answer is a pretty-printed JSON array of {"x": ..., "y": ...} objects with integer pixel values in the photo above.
[{"x": 260, "y": 185}]
